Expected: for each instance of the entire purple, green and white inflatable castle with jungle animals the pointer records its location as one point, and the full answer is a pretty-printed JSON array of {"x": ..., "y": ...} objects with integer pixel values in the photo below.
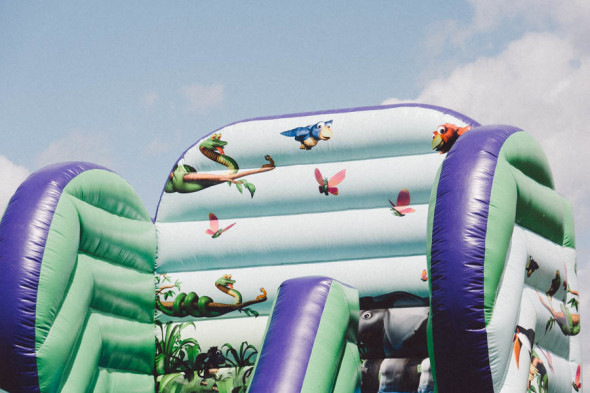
[{"x": 402, "y": 248}]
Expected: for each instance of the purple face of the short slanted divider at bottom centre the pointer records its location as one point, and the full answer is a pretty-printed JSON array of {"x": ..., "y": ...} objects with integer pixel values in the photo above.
[{"x": 287, "y": 347}]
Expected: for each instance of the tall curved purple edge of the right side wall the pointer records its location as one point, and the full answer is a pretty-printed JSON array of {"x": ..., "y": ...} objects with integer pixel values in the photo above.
[{"x": 457, "y": 260}]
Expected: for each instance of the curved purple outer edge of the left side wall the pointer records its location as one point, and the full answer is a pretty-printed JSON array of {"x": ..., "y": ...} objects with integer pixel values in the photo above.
[{"x": 23, "y": 233}]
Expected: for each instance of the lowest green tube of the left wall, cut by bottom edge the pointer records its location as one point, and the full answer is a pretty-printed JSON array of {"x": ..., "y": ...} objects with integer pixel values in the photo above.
[{"x": 110, "y": 381}]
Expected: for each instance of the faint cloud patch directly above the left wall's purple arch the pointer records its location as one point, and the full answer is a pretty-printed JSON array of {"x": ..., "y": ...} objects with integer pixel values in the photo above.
[{"x": 79, "y": 146}]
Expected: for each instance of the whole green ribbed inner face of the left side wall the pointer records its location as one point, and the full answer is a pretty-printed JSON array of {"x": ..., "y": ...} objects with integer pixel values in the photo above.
[{"x": 99, "y": 255}]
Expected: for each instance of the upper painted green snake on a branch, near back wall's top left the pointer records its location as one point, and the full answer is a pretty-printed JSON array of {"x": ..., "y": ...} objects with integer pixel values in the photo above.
[{"x": 185, "y": 179}]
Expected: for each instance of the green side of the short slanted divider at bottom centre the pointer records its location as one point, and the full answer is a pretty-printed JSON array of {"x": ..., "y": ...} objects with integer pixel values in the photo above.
[{"x": 330, "y": 340}]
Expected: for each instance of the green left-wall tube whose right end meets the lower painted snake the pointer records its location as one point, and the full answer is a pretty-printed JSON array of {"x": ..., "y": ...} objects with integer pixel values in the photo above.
[{"x": 119, "y": 290}]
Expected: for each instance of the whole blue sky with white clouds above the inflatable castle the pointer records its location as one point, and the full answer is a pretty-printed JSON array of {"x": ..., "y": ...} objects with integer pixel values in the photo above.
[{"x": 130, "y": 85}]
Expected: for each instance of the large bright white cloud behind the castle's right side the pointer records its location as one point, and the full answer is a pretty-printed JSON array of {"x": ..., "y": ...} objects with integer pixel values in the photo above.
[{"x": 541, "y": 84}]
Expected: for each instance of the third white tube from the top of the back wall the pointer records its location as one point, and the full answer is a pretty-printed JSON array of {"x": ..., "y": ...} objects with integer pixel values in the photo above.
[{"x": 371, "y": 233}]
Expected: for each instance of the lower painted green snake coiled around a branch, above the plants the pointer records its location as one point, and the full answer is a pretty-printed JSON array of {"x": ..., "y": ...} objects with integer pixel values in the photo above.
[{"x": 183, "y": 304}]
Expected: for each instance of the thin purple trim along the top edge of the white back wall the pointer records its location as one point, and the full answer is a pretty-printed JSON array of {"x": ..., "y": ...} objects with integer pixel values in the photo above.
[{"x": 463, "y": 118}]
